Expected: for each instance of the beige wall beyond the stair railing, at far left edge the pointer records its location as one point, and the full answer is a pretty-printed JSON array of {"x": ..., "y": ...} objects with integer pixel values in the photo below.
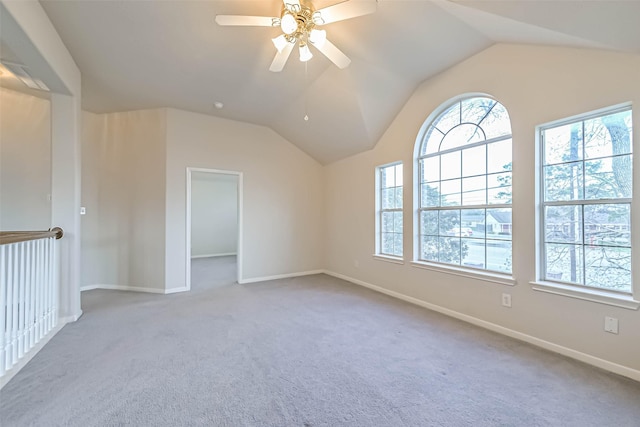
[{"x": 25, "y": 161}]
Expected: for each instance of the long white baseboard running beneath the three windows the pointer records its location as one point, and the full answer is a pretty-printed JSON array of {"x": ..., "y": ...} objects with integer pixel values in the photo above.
[{"x": 565, "y": 351}]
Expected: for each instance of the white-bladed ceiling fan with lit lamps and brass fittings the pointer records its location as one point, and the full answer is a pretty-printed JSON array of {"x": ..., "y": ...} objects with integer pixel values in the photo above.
[{"x": 298, "y": 21}]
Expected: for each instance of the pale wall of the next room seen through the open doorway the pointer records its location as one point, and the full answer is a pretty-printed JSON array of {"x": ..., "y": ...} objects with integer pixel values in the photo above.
[{"x": 214, "y": 214}]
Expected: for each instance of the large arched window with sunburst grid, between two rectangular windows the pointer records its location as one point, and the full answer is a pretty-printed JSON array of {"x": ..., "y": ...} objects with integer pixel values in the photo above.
[{"x": 464, "y": 165}]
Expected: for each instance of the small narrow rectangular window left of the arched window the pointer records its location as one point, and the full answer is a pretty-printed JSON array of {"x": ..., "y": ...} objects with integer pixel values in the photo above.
[{"x": 389, "y": 210}]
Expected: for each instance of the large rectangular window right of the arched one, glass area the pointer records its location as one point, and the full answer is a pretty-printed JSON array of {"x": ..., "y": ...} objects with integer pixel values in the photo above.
[{"x": 586, "y": 201}]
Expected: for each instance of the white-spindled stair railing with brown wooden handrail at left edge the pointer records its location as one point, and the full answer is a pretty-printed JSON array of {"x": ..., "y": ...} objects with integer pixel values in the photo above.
[{"x": 28, "y": 292}]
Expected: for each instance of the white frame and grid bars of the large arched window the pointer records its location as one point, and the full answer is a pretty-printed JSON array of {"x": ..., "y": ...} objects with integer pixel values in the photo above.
[{"x": 462, "y": 265}]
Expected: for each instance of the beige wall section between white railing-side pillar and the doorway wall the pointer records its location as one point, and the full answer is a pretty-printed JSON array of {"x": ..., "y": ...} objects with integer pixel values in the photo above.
[{"x": 123, "y": 179}]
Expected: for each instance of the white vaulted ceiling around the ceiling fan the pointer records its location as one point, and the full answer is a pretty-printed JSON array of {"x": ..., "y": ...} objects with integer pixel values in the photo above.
[{"x": 149, "y": 54}]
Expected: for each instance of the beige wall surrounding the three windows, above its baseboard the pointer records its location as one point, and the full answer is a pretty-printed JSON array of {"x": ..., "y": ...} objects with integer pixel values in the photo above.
[{"x": 536, "y": 84}]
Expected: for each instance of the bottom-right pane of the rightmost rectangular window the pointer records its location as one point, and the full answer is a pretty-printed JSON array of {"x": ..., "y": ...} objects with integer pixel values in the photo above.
[{"x": 608, "y": 268}]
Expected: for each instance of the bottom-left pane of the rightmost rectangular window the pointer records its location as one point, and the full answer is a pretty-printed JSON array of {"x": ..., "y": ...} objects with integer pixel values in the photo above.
[{"x": 563, "y": 263}]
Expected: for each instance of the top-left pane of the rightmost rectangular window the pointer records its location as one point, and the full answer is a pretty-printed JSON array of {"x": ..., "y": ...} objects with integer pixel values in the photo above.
[{"x": 563, "y": 143}]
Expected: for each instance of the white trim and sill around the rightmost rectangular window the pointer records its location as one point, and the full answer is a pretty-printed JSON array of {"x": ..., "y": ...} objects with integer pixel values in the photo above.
[{"x": 629, "y": 301}]
